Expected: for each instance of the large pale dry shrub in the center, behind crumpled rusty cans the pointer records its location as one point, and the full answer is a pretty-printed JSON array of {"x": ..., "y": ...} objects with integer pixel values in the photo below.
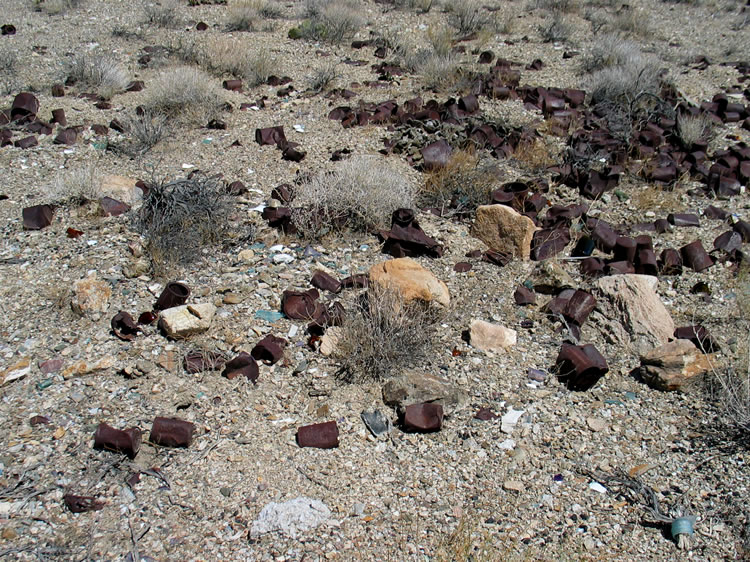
[{"x": 358, "y": 194}]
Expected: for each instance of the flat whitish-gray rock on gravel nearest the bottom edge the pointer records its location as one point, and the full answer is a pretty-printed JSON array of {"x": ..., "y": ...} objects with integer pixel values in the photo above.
[{"x": 291, "y": 517}]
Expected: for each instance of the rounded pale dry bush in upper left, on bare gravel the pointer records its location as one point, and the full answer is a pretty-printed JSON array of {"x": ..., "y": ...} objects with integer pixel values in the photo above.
[{"x": 184, "y": 93}]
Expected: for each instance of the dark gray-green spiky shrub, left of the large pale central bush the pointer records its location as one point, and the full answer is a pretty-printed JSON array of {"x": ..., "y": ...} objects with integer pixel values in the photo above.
[{"x": 179, "y": 218}]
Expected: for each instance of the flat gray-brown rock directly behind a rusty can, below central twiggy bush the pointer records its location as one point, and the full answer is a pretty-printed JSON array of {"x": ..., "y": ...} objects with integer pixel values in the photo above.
[{"x": 415, "y": 388}]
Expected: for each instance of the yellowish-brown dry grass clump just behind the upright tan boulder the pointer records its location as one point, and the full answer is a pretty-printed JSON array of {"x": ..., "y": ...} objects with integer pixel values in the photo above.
[{"x": 461, "y": 186}]
